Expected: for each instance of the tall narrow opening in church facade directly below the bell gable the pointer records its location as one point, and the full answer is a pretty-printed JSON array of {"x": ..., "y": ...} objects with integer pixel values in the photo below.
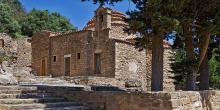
[{"x": 97, "y": 64}]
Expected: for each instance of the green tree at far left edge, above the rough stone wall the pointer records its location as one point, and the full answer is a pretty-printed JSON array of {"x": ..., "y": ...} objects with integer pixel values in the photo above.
[{"x": 8, "y": 24}]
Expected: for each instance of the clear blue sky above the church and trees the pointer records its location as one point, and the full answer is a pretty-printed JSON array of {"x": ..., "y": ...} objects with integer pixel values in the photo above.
[{"x": 76, "y": 11}]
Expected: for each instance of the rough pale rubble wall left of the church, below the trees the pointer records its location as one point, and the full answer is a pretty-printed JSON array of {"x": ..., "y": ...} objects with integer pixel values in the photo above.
[{"x": 18, "y": 49}]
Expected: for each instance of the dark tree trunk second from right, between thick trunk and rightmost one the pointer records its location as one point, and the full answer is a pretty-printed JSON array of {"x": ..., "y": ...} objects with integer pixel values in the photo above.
[{"x": 191, "y": 76}]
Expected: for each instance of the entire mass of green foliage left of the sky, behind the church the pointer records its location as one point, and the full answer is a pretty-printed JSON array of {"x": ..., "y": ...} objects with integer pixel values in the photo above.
[{"x": 16, "y": 22}]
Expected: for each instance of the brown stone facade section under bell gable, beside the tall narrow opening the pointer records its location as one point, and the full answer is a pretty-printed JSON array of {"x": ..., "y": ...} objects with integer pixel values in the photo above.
[{"x": 105, "y": 46}]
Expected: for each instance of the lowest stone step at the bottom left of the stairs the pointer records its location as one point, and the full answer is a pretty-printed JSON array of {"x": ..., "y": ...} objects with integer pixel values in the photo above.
[{"x": 35, "y": 106}]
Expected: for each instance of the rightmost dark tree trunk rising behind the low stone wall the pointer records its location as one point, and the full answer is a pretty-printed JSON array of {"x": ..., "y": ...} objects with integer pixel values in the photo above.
[{"x": 204, "y": 74}]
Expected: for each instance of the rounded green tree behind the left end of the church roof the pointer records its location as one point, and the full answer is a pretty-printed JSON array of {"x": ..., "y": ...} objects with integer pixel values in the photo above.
[{"x": 38, "y": 20}]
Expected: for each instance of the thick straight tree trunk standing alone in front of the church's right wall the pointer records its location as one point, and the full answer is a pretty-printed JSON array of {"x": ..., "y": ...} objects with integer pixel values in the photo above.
[{"x": 157, "y": 64}]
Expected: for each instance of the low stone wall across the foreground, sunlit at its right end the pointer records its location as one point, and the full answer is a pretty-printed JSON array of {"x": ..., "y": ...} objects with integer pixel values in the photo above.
[{"x": 122, "y": 100}]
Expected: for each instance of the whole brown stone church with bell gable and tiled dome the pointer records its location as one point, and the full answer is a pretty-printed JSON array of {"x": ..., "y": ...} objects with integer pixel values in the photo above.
[{"x": 101, "y": 50}]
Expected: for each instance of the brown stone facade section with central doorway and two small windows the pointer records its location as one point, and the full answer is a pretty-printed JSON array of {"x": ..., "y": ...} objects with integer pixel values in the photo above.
[{"x": 71, "y": 45}]
